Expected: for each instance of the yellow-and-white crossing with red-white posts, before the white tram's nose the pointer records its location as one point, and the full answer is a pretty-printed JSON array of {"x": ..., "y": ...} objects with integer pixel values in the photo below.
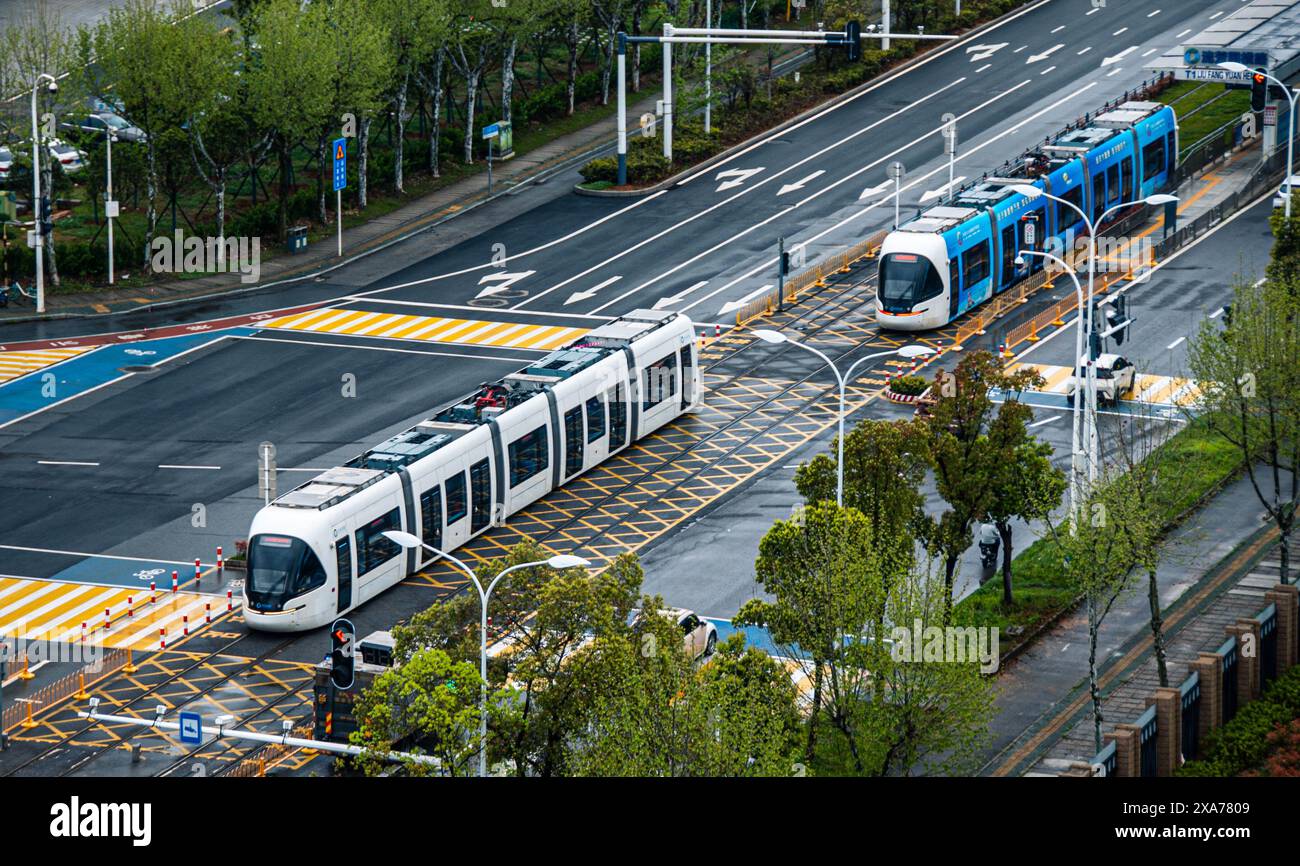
[{"x": 54, "y": 612}]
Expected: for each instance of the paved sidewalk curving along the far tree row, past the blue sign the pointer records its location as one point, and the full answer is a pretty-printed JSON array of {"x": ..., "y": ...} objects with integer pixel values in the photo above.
[{"x": 454, "y": 200}]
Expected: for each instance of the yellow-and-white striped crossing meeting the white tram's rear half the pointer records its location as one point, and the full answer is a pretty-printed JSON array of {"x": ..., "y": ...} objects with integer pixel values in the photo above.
[{"x": 465, "y": 332}]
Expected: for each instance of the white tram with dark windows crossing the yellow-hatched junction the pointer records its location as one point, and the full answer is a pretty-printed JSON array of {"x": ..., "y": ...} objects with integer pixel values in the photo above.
[{"x": 319, "y": 551}]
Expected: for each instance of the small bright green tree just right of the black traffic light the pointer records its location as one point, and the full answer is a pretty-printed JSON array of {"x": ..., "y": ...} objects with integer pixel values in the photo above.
[{"x": 427, "y": 707}]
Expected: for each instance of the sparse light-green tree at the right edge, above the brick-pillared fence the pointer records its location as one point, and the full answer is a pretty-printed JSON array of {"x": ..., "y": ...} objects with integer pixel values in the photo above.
[{"x": 1251, "y": 393}]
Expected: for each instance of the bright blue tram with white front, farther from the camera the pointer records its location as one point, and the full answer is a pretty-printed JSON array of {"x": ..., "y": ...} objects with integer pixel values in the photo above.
[{"x": 955, "y": 257}]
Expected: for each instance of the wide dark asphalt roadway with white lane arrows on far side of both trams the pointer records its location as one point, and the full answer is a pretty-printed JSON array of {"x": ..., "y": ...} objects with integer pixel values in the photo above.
[{"x": 699, "y": 243}]
